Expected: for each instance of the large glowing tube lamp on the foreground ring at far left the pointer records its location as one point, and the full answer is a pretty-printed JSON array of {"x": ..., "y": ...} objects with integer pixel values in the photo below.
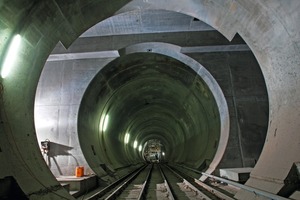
[{"x": 11, "y": 55}]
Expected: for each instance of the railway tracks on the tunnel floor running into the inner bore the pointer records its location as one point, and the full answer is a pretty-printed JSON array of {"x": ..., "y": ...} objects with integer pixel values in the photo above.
[{"x": 157, "y": 181}]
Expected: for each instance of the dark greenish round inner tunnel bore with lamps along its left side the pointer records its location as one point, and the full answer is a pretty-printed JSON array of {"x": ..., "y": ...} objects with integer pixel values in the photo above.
[{"x": 141, "y": 97}]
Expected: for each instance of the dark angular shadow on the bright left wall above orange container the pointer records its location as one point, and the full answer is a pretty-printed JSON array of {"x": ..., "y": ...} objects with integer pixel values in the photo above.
[{"x": 55, "y": 150}]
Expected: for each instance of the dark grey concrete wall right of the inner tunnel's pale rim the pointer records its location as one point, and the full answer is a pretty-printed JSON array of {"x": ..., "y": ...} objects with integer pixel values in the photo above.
[{"x": 241, "y": 80}]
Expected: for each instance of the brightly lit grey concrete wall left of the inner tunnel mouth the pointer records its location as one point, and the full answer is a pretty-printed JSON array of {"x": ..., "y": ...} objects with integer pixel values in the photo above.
[{"x": 58, "y": 97}]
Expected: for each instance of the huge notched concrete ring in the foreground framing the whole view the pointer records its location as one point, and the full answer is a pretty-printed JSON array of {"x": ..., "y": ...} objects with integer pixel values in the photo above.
[{"x": 270, "y": 29}]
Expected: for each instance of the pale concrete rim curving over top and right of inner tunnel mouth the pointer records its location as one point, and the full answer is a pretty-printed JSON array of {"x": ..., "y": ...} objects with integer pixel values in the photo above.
[{"x": 174, "y": 52}]
